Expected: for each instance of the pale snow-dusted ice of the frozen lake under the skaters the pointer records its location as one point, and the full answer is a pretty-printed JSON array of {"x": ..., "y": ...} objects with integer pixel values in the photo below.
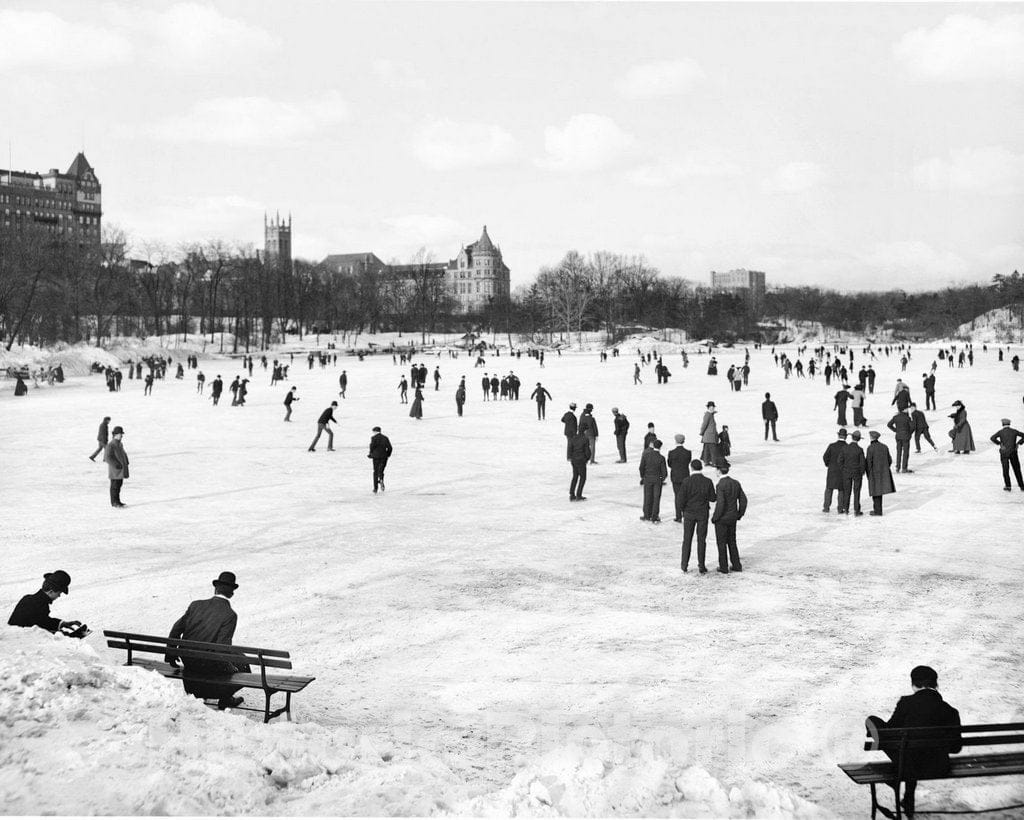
[{"x": 473, "y": 617}]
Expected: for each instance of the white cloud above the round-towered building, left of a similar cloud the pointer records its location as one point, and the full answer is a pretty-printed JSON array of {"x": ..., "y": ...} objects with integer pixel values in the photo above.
[{"x": 445, "y": 146}]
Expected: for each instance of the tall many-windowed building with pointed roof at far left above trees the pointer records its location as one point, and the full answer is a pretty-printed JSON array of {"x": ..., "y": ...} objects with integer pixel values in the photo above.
[{"x": 68, "y": 206}]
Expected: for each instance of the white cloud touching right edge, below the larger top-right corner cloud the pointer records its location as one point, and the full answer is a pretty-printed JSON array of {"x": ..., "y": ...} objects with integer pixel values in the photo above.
[{"x": 992, "y": 169}]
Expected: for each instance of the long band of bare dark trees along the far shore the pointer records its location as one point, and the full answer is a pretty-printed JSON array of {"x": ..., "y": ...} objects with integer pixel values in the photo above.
[{"x": 54, "y": 291}]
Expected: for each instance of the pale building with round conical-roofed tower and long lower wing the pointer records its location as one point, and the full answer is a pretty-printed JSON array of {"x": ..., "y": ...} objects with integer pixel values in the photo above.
[{"x": 477, "y": 278}]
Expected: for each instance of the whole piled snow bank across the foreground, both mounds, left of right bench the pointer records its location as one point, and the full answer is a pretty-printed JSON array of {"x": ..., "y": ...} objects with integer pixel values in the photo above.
[{"x": 81, "y": 738}]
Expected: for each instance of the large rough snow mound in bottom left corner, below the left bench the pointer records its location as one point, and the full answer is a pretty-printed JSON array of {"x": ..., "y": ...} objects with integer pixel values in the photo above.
[{"x": 84, "y": 739}]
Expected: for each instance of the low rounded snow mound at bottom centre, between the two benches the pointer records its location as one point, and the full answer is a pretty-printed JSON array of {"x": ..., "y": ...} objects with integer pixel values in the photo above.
[{"x": 608, "y": 780}]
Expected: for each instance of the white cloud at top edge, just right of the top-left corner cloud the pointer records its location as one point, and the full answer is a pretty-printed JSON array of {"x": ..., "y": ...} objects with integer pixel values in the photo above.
[{"x": 192, "y": 37}]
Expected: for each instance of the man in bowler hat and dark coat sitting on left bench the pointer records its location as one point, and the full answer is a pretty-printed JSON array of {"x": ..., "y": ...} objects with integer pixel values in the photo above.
[{"x": 211, "y": 621}]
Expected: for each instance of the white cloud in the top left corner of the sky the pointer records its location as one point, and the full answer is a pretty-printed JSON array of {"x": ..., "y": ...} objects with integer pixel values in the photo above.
[{"x": 44, "y": 40}]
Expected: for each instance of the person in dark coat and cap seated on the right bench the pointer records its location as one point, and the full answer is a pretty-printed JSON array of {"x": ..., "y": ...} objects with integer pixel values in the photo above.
[{"x": 924, "y": 708}]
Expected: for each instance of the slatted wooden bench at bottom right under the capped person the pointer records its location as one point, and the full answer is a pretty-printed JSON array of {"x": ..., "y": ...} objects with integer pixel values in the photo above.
[{"x": 986, "y": 765}]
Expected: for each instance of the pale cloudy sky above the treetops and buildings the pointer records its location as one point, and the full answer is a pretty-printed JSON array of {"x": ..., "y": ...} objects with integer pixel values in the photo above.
[{"x": 850, "y": 146}]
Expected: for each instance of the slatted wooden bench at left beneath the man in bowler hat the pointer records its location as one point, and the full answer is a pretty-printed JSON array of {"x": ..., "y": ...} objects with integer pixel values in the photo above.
[{"x": 199, "y": 651}]
